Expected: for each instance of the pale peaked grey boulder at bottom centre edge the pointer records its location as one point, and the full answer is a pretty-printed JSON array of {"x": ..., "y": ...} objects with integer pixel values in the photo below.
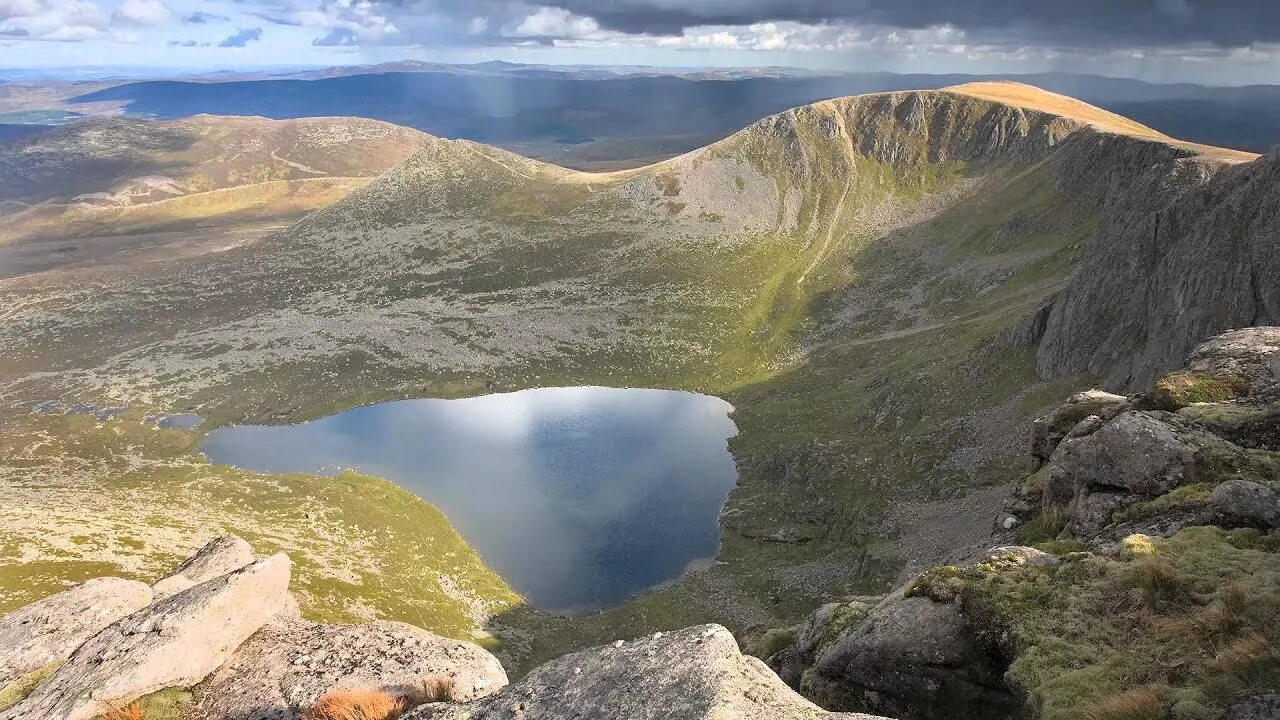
[{"x": 692, "y": 675}]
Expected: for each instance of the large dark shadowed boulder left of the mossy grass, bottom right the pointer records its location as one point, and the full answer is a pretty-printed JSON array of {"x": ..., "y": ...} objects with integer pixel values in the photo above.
[{"x": 916, "y": 658}]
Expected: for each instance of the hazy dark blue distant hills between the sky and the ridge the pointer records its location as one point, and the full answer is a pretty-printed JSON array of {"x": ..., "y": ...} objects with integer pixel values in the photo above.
[{"x": 628, "y": 115}]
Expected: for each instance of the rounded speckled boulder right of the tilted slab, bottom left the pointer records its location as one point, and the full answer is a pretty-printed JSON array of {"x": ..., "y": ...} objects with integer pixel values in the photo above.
[{"x": 287, "y": 666}]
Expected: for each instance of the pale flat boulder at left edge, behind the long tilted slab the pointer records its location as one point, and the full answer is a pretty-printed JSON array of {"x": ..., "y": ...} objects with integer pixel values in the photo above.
[{"x": 51, "y": 630}]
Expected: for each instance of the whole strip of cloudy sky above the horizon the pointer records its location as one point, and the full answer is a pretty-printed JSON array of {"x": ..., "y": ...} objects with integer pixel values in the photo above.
[{"x": 1215, "y": 42}]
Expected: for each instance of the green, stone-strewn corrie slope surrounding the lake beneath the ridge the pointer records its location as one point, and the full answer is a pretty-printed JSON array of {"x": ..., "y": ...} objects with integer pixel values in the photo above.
[{"x": 844, "y": 275}]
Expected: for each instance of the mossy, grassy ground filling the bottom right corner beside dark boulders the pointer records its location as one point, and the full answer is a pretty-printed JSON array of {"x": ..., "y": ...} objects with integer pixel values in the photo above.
[{"x": 1188, "y": 626}]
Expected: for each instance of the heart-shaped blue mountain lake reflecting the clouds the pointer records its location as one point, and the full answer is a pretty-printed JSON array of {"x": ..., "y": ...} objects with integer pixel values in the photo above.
[{"x": 579, "y": 498}]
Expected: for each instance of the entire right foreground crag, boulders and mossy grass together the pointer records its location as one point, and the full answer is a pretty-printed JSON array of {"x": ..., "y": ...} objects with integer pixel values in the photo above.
[{"x": 1151, "y": 587}]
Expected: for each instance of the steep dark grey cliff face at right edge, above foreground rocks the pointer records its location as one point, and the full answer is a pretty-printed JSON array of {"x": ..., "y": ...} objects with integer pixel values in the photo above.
[{"x": 1177, "y": 261}]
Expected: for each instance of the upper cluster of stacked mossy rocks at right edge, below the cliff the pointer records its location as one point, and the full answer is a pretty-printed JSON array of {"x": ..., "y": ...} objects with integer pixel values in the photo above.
[{"x": 1203, "y": 461}]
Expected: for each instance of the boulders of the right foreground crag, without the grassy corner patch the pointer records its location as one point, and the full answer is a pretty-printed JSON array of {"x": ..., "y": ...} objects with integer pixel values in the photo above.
[{"x": 1117, "y": 477}]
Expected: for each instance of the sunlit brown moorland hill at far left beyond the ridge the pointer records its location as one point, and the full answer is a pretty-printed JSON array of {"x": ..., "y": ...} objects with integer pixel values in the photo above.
[{"x": 205, "y": 171}]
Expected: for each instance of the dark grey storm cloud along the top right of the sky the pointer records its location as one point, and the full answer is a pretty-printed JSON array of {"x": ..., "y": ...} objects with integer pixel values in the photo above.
[{"x": 1077, "y": 22}]
